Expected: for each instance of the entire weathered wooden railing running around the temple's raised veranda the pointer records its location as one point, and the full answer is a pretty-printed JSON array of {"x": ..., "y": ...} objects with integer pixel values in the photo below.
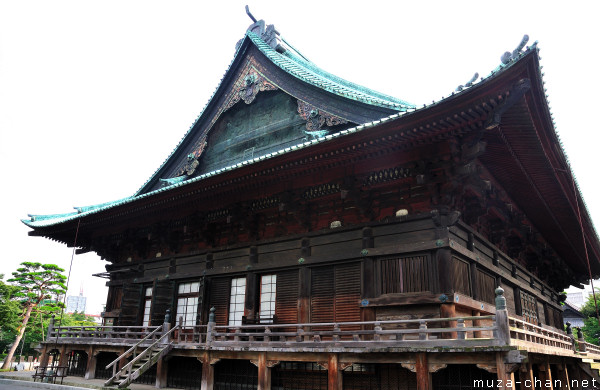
[{"x": 497, "y": 330}]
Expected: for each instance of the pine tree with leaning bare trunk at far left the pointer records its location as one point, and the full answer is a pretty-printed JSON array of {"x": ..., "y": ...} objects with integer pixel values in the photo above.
[{"x": 39, "y": 286}]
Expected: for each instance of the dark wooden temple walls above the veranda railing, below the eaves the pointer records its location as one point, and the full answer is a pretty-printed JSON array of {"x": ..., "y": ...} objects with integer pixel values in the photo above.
[{"x": 381, "y": 270}]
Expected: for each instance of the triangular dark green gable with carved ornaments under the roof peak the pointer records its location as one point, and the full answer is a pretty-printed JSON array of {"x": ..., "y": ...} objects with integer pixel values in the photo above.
[{"x": 260, "y": 107}]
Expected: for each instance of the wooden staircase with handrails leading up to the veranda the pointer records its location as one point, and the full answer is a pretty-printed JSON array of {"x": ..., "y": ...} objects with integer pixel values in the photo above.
[{"x": 141, "y": 361}]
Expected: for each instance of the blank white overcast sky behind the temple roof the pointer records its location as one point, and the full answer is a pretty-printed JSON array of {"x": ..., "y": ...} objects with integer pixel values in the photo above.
[{"x": 95, "y": 95}]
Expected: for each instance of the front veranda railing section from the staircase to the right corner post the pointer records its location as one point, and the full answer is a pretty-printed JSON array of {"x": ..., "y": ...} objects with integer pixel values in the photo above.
[{"x": 434, "y": 332}]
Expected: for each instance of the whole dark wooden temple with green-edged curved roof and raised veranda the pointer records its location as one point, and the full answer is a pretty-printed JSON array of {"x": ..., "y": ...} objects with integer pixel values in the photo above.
[{"x": 310, "y": 233}]
